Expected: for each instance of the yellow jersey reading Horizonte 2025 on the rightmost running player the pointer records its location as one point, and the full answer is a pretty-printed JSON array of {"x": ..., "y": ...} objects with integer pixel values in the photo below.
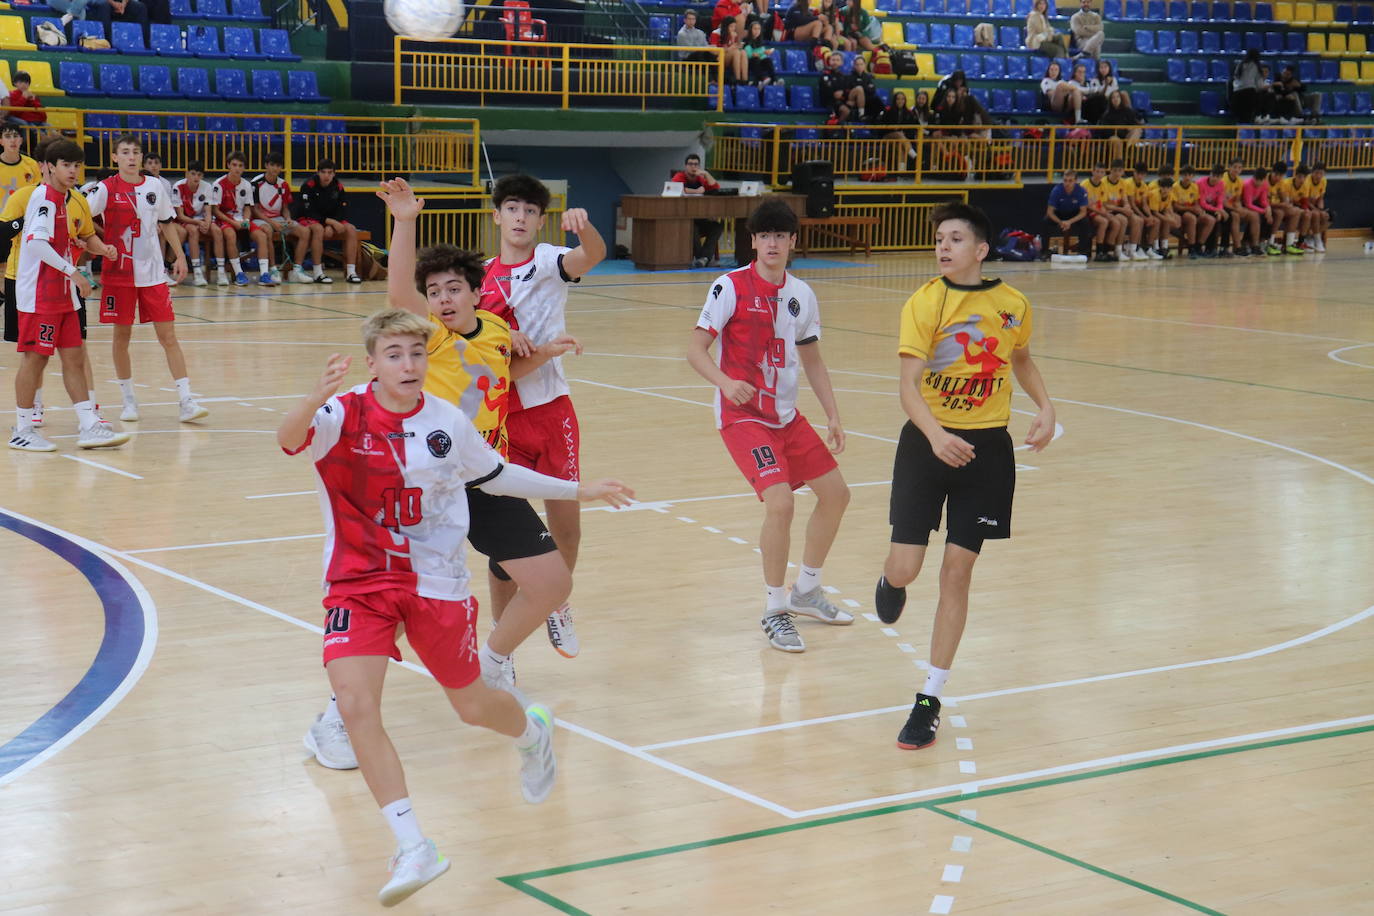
[{"x": 967, "y": 336}]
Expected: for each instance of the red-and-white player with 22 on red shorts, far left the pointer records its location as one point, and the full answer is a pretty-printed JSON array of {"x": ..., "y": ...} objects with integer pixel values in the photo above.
[{"x": 47, "y": 286}]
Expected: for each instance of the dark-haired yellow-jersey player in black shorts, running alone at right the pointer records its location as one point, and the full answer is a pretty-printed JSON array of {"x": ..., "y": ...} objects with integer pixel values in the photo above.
[{"x": 962, "y": 337}]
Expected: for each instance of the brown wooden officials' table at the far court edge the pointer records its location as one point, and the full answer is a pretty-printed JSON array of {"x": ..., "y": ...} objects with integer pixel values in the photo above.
[{"x": 663, "y": 234}]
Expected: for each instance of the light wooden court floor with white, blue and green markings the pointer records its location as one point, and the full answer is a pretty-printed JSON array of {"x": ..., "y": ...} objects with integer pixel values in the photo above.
[{"x": 1163, "y": 702}]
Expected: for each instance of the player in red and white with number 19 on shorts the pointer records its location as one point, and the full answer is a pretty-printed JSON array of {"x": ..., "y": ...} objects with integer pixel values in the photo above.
[{"x": 769, "y": 325}]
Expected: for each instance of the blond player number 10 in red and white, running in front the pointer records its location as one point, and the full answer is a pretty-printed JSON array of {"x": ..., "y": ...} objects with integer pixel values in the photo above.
[{"x": 391, "y": 468}]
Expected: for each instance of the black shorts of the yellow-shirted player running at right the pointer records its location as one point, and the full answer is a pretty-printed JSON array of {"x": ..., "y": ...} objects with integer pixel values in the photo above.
[{"x": 979, "y": 494}]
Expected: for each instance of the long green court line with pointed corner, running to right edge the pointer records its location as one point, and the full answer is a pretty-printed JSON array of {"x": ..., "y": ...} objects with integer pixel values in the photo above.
[{"x": 521, "y": 881}]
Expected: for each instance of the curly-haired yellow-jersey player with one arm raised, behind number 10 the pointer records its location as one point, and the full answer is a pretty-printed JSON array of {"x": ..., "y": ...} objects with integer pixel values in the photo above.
[{"x": 471, "y": 366}]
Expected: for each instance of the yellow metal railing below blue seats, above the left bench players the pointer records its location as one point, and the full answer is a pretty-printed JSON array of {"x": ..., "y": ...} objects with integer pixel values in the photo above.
[{"x": 361, "y": 148}]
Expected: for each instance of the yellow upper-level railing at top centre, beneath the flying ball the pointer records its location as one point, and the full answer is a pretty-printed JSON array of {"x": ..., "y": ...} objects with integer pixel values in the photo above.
[{"x": 554, "y": 72}]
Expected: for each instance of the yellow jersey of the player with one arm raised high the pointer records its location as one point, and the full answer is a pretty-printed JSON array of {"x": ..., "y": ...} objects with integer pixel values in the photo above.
[{"x": 473, "y": 373}]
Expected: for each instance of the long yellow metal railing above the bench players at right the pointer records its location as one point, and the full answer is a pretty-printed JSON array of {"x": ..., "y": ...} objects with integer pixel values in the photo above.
[{"x": 1008, "y": 154}]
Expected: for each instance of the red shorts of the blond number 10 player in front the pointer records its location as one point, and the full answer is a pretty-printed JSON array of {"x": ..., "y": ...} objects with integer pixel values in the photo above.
[{"x": 443, "y": 634}]
